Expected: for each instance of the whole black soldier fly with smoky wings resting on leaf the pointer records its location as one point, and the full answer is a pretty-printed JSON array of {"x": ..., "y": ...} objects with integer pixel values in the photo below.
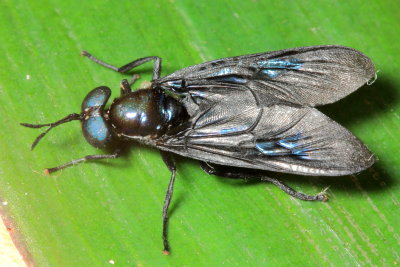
[{"x": 253, "y": 112}]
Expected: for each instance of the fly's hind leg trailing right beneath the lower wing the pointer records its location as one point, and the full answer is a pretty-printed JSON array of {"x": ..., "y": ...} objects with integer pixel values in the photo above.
[{"x": 210, "y": 169}]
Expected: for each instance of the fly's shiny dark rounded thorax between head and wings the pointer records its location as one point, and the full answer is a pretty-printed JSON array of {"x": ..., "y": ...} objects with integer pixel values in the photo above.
[{"x": 144, "y": 113}]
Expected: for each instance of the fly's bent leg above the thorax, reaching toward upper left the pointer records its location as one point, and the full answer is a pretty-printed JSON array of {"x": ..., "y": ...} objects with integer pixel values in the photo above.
[{"x": 131, "y": 65}]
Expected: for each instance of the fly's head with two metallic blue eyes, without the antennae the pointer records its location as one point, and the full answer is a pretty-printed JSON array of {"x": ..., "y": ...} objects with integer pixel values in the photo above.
[{"x": 95, "y": 127}]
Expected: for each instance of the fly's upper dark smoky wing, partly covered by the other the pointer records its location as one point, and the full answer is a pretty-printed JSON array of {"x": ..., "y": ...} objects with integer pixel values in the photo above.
[{"x": 308, "y": 76}]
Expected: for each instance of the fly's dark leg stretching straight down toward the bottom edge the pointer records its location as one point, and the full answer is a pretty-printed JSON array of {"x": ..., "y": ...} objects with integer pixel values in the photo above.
[{"x": 168, "y": 196}]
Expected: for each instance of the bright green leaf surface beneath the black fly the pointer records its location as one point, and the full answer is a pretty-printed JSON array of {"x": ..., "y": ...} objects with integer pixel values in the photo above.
[{"x": 110, "y": 212}]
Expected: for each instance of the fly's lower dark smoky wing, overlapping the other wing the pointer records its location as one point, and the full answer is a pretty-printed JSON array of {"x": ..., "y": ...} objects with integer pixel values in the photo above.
[{"x": 239, "y": 131}]
